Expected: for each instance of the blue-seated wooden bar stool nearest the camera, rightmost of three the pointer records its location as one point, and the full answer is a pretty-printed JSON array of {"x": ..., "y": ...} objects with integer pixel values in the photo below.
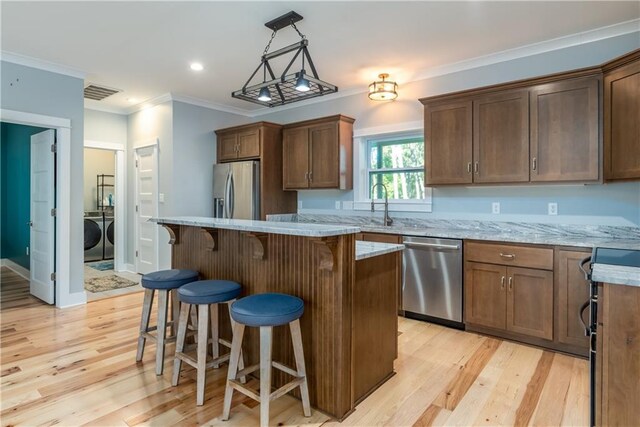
[{"x": 266, "y": 311}]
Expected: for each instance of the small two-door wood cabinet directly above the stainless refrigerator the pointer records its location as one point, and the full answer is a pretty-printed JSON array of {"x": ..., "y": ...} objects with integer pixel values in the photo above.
[{"x": 240, "y": 143}]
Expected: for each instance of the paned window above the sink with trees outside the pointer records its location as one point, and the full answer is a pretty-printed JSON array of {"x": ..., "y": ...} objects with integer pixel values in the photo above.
[{"x": 398, "y": 163}]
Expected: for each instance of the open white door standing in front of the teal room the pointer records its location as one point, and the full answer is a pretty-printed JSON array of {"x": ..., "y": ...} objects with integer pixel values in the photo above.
[{"x": 42, "y": 236}]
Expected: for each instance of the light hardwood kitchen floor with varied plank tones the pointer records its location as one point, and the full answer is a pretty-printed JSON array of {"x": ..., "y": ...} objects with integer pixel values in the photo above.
[{"x": 77, "y": 367}]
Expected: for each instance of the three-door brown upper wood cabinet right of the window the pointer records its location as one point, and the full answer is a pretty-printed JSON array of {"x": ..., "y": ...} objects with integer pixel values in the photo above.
[{"x": 538, "y": 130}]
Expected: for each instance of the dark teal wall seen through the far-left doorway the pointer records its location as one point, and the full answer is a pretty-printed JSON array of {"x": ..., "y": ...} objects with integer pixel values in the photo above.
[{"x": 15, "y": 148}]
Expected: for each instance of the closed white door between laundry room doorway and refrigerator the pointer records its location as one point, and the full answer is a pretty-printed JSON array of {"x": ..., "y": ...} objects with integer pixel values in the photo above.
[{"x": 146, "y": 207}]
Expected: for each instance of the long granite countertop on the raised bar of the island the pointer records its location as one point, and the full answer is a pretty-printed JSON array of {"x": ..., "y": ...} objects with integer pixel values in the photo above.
[{"x": 294, "y": 229}]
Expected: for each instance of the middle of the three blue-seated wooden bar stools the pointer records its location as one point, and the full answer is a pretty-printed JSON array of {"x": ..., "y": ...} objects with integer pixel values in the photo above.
[{"x": 206, "y": 295}]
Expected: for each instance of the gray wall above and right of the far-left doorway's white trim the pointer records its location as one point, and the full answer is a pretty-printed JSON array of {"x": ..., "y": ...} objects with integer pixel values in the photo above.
[{"x": 41, "y": 92}]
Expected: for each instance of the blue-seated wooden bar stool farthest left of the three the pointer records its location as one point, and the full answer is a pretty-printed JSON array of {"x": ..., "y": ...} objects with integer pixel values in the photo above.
[{"x": 163, "y": 282}]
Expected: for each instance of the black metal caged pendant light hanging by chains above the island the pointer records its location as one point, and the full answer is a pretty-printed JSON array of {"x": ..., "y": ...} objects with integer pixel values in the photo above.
[{"x": 286, "y": 88}]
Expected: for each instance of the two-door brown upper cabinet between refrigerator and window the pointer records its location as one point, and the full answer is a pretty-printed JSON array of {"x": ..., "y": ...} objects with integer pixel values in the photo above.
[{"x": 318, "y": 154}]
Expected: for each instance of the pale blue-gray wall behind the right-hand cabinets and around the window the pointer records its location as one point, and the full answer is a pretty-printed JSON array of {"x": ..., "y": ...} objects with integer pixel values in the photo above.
[{"x": 600, "y": 204}]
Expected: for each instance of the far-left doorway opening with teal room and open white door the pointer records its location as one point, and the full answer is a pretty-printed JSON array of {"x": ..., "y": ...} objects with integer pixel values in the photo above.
[{"x": 28, "y": 212}]
